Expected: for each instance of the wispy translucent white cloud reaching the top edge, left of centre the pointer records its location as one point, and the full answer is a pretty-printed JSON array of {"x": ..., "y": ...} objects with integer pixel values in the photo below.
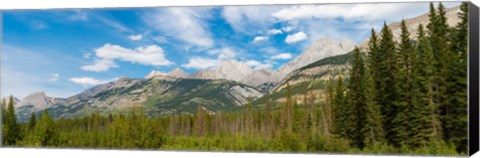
[{"x": 184, "y": 24}]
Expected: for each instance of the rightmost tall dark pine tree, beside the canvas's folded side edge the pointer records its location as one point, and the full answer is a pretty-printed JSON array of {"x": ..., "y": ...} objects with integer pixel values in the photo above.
[{"x": 455, "y": 109}]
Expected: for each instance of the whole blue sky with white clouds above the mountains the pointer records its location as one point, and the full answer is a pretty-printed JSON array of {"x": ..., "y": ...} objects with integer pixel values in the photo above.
[{"x": 66, "y": 51}]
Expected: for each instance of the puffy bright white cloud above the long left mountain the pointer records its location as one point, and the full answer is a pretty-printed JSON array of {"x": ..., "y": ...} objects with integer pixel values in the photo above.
[{"x": 146, "y": 55}]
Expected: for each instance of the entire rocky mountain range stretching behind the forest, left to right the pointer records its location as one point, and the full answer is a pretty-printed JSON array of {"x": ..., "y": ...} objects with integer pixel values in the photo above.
[{"x": 229, "y": 85}]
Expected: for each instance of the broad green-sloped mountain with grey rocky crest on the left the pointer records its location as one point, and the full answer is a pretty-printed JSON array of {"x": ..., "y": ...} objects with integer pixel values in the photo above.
[{"x": 158, "y": 96}]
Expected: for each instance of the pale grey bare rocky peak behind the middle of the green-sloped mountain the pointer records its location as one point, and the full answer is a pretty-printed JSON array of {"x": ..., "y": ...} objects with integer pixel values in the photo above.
[{"x": 228, "y": 69}]
